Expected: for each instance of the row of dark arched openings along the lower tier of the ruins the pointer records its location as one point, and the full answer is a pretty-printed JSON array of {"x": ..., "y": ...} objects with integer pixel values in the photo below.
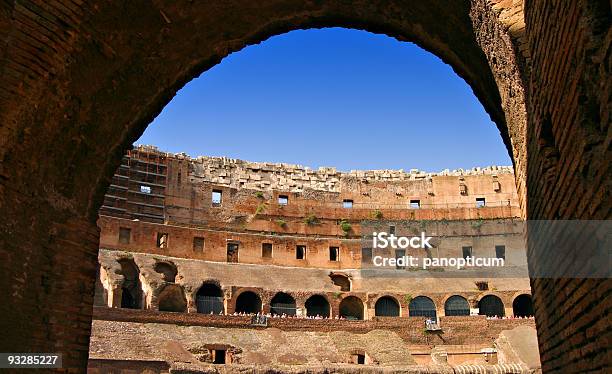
[{"x": 210, "y": 299}]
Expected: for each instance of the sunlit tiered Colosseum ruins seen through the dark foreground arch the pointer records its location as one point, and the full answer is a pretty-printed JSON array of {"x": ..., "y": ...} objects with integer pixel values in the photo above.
[{"x": 265, "y": 264}]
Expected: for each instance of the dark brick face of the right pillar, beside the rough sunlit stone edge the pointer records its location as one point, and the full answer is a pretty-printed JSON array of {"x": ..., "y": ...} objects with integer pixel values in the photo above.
[{"x": 569, "y": 168}]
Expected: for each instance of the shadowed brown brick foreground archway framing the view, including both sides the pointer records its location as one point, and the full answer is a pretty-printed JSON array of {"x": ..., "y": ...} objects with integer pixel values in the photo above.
[{"x": 81, "y": 81}]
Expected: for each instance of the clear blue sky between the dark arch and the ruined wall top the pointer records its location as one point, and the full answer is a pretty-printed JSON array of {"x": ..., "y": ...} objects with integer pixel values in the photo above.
[{"x": 332, "y": 97}]
